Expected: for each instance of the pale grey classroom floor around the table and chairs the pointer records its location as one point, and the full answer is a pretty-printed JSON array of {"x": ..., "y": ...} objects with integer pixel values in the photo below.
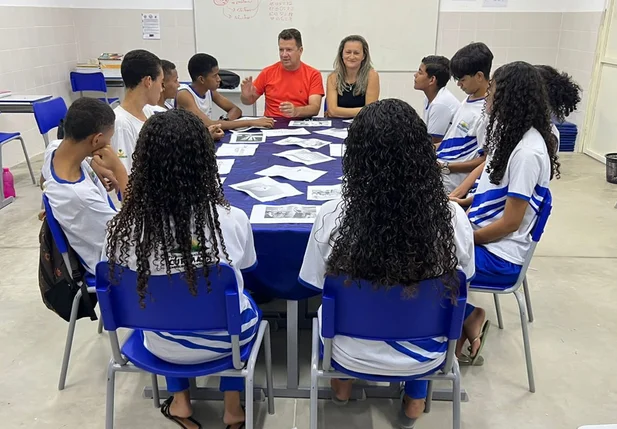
[{"x": 573, "y": 283}]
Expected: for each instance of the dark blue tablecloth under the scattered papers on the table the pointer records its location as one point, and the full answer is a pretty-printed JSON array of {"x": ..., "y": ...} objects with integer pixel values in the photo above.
[{"x": 280, "y": 247}]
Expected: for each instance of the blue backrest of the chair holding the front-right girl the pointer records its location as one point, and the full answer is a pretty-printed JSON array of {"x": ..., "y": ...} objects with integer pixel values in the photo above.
[{"x": 361, "y": 311}]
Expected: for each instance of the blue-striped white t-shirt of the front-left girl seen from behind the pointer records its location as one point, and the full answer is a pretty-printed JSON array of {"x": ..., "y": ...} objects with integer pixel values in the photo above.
[{"x": 238, "y": 237}]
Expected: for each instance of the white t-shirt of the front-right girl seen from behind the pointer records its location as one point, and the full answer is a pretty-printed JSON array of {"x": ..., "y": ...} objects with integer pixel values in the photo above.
[{"x": 379, "y": 357}]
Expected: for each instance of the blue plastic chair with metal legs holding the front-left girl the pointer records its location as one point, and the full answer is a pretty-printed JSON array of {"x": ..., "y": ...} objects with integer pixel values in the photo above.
[{"x": 170, "y": 307}]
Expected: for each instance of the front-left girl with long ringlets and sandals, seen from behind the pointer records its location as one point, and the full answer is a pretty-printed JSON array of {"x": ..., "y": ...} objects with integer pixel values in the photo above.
[{"x": 189, "y": 202}]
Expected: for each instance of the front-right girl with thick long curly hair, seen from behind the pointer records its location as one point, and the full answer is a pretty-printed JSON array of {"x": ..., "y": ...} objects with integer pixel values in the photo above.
[{"x": 393, "y": 181}]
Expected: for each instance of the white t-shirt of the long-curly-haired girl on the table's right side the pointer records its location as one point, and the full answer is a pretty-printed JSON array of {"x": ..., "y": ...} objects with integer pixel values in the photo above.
[{"x": 527, "y": 176}]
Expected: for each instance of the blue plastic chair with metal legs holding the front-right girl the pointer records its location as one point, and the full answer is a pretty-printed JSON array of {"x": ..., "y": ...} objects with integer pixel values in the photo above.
[{"x": 393, "y": 317}]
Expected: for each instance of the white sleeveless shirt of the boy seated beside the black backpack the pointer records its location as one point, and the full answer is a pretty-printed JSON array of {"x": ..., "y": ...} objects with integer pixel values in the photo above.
[{"x": 82, "y": 209}]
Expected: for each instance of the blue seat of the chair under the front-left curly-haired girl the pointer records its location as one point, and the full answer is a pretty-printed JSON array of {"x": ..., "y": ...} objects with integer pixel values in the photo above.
[{"x": 138, "y": 355}]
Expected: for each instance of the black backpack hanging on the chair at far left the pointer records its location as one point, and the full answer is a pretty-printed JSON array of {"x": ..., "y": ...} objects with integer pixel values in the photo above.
[{"x": 57, "y": 287}]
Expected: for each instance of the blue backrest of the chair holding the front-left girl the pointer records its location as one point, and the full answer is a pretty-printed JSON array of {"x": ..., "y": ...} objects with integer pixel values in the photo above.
[{"x": 169, "y": 305}]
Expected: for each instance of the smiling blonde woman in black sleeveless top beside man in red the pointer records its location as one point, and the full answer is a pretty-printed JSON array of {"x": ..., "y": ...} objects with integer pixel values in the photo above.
[{"x": 354, "y": 83}]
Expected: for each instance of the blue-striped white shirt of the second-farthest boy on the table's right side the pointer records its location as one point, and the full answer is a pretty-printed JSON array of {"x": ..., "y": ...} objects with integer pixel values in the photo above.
[{"x": 461, "y": 141}]
